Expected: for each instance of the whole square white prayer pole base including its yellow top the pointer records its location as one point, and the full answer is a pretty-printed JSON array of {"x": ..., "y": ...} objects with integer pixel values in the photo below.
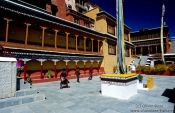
[{"x": 120, "y": 87}]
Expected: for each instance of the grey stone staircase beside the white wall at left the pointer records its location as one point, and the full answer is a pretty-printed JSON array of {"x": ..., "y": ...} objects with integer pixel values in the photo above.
[{"x": 25, "y": 94}]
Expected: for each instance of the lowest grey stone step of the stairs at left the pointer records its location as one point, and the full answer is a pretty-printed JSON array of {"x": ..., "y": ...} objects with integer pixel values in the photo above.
[{"x": 21, "y": 100}]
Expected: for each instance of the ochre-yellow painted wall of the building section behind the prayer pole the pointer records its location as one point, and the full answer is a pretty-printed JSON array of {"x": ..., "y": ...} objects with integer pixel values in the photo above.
[{"x": 109, "y": 61}]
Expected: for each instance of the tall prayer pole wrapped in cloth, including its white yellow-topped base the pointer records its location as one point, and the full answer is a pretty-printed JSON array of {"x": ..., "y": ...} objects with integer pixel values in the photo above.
[{"x": 121, "y": 85}]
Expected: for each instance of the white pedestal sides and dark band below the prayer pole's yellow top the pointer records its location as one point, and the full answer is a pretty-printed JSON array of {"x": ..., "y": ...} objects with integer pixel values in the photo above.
[{"x": 117, "y": 89}]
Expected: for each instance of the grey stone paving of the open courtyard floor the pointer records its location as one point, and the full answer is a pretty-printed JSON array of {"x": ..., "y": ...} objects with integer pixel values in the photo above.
[{"x": 84, "y": 97}]
